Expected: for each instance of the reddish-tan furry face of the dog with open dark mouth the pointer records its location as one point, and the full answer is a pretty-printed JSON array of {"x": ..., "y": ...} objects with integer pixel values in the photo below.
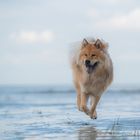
[{"x": 92, "y": 55}]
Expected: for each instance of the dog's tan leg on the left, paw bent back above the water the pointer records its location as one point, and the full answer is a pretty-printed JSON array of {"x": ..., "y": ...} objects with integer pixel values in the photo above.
[{"x": 84, "y": 99}]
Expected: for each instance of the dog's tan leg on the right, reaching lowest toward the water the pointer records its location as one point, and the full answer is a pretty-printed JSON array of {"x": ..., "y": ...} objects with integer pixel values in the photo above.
[{"x": 93, "y": 113}]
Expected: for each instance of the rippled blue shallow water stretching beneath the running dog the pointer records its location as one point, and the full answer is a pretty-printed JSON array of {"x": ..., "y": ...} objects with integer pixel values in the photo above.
[{"x": 37, "y": 113}]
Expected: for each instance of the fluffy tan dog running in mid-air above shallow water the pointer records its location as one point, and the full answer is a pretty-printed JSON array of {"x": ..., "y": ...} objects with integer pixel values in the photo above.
[{"x": 92, "y": 70}]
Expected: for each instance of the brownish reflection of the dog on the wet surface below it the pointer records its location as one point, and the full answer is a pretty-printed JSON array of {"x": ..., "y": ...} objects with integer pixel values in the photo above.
[{"x": 87, "y": 133}]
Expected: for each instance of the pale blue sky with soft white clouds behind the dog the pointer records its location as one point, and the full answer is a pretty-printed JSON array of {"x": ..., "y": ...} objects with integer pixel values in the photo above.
[{"x": 36, "y": 35}]
